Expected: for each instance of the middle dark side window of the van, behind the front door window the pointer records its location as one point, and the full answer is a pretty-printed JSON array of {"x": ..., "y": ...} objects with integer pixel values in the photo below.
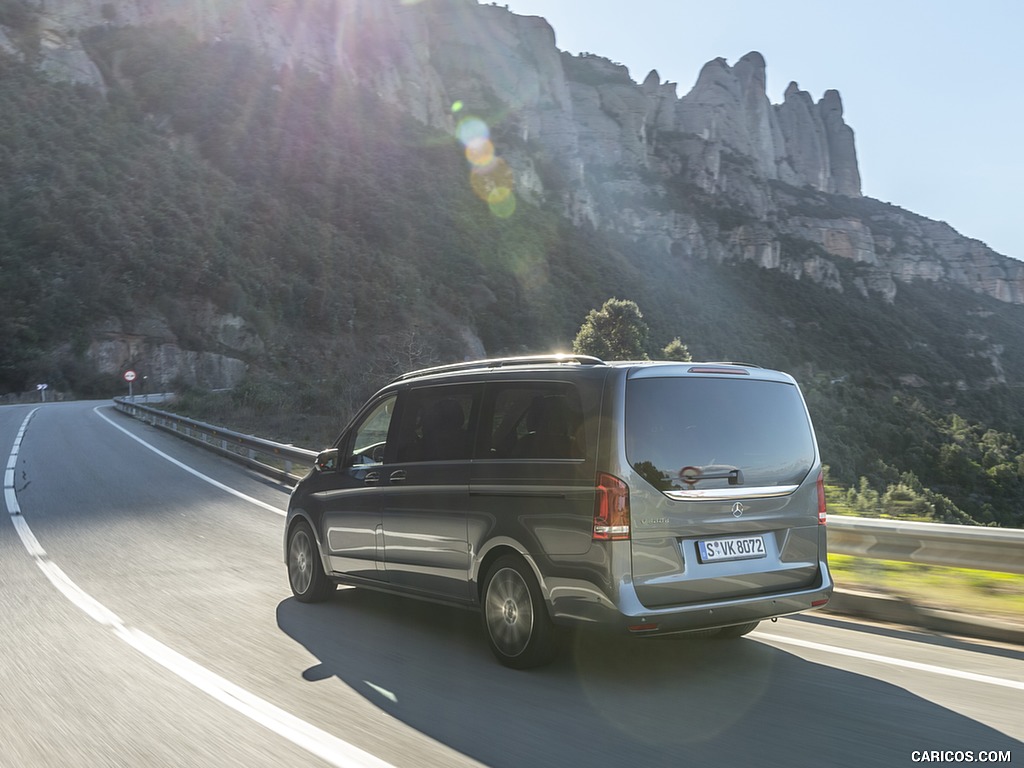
[{"x": 436, "y": 424}]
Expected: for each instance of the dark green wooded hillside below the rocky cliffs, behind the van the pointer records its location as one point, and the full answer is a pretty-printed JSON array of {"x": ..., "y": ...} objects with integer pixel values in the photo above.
[{"x": 350, "y": 238}]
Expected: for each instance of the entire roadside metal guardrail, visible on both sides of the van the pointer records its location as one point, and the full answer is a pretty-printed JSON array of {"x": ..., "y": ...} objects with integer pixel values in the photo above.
[{"x": 932, "y": 544}]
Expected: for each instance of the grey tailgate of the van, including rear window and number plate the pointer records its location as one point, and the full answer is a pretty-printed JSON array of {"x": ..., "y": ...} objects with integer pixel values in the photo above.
[{"x": 724, "y": 496}]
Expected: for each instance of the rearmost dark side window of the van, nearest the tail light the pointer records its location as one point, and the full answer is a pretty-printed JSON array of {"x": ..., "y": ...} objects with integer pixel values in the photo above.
[{"x": 537, "y": 420}]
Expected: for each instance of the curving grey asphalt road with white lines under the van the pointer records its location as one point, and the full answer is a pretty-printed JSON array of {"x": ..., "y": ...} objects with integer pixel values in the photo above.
[{"x": 146, "y": 621}]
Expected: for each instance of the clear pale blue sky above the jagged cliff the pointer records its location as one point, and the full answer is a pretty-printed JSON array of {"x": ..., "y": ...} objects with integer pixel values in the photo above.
[{"x": 933, "y": 90}]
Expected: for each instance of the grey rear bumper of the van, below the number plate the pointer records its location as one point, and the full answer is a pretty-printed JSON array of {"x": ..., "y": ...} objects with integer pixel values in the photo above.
[{"x": 572, "y": 607}]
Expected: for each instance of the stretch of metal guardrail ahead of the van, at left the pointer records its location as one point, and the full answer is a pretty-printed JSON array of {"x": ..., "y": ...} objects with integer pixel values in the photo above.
[{"x": 275, "y": 459}]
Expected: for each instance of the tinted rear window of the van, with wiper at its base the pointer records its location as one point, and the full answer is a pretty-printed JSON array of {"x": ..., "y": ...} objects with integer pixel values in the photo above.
[{"x": 703, "y": 434}]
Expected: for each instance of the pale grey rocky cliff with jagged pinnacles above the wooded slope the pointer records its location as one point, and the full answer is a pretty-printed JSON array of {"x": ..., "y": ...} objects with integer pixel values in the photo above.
[{"x": 719, "y": 174}]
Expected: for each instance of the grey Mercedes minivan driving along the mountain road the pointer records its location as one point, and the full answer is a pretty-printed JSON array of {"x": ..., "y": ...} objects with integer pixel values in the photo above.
[{"x": 563, "y": 491}]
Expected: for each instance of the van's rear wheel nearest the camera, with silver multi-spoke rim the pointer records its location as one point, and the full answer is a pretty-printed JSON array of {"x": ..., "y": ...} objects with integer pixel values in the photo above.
[{"x": 520, "y": 631}]
